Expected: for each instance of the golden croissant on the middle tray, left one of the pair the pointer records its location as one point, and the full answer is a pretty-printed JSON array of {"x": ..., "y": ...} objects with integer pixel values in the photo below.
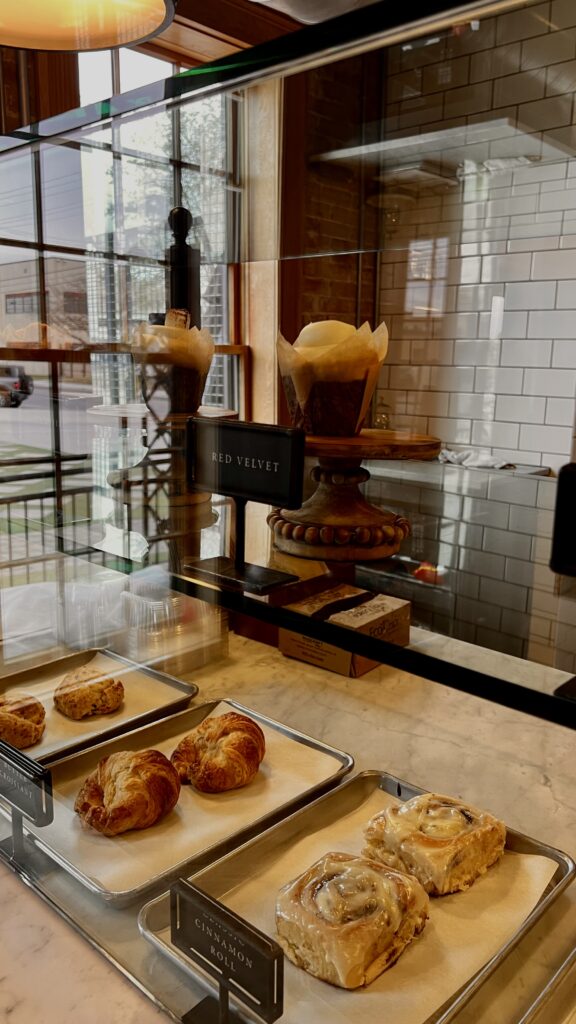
[{"x": 129, "y": 790}]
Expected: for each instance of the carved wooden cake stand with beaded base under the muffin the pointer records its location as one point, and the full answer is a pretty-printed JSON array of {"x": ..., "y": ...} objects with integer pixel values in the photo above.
[{"x": 338, "y": 524}]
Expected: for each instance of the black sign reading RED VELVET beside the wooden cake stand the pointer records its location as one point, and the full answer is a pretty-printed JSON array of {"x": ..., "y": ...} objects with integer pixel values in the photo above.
[{"x": 252, "y": 461}]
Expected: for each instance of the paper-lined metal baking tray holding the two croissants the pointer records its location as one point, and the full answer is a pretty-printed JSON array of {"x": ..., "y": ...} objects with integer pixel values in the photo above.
[{"x": 202, "y": 827}]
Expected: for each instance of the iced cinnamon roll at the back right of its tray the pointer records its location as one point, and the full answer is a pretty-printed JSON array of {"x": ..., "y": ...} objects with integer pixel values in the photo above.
[{"x": 445, "y": 843}]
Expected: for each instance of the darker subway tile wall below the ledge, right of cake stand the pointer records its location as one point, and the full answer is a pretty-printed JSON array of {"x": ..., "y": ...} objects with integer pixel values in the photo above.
[{"x": 489, "y": 532}]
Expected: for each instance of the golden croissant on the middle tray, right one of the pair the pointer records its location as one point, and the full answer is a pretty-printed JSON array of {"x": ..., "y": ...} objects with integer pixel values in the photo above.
[{"x": 221, "y": 754}]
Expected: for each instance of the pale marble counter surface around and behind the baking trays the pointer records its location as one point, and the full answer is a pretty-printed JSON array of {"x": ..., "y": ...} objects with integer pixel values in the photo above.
[{"x": 519, "y": 767}]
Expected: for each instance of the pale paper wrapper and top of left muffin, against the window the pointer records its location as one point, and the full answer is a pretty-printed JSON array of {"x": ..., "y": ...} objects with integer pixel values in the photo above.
[{"x": 192, "y": 350}]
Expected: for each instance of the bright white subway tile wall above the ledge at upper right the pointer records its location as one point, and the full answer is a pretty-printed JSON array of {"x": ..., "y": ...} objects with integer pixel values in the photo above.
[{"x": 479, "y": 277}]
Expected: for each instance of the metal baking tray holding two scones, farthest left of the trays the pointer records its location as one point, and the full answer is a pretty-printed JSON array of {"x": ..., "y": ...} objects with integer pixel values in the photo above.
[{"x": 149, "y": 695}]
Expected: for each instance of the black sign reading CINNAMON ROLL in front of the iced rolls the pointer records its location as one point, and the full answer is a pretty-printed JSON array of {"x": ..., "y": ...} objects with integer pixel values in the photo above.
[{"x": 243, "y": 960}]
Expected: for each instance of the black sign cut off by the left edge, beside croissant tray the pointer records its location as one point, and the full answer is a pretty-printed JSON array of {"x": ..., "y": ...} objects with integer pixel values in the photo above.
[{"x": 26, "y": 786}]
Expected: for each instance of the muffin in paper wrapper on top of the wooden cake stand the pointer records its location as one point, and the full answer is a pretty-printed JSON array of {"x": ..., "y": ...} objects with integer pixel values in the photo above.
[{"x": 330, "y": 375}]
